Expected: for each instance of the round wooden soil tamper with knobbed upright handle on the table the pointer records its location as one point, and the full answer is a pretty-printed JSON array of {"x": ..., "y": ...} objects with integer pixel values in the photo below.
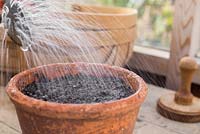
[{"x": 182, "y": 105}]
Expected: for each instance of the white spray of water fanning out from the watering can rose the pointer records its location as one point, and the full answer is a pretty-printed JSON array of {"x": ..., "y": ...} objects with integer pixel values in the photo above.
[{"x": 47, "y": 31}]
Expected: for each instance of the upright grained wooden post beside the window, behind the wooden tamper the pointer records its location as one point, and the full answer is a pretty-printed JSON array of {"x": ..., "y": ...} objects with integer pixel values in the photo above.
[{"x": 181, "y": 39}]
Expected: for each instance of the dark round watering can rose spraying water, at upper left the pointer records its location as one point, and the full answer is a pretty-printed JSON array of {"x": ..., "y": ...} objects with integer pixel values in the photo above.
[{"x": 14, "y": 21}]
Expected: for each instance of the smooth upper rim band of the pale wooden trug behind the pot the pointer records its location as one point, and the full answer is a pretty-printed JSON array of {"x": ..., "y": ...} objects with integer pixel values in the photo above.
[{"x": 127, "y": 17}]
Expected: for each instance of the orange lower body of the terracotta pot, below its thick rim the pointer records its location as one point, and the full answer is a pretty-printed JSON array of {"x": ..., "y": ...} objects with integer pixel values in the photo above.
[{"x": 122, "y": 124}]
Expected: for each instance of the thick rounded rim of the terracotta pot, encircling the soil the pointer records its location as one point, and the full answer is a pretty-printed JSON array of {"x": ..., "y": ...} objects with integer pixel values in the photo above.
[{"x": 73, "y": 110}]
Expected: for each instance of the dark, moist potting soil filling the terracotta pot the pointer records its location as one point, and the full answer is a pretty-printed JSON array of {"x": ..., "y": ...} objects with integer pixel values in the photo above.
[{"x": 79, "y": 89}]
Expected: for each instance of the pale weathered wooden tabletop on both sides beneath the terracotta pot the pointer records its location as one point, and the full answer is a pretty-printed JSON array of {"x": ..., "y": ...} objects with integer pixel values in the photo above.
[{"x": 149, "y": 121}]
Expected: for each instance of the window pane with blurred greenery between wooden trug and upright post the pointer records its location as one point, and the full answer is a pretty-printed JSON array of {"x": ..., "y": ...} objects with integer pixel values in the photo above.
[{"x": 155, "y": 20}]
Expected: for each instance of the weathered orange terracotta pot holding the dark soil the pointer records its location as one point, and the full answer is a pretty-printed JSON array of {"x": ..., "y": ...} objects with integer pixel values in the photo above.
[{"x": 40, "y": 117}]
